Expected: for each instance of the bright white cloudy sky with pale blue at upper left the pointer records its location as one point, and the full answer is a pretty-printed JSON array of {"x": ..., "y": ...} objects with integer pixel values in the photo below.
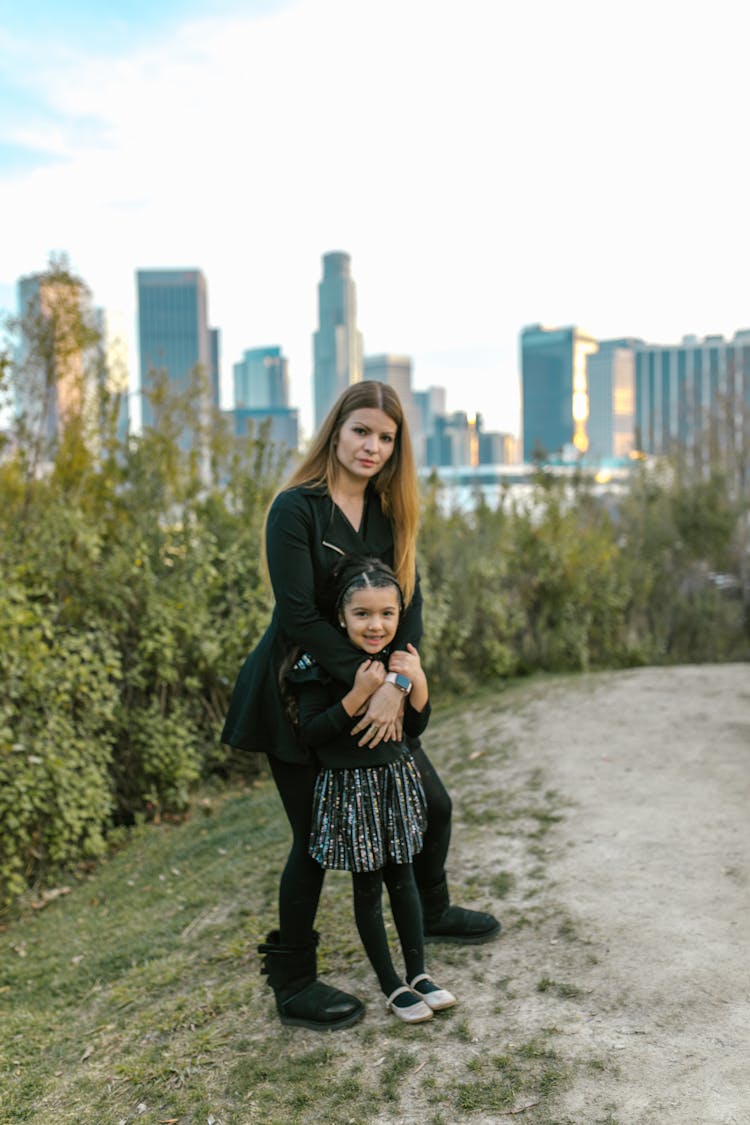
[{"x": 487, "y": 165}]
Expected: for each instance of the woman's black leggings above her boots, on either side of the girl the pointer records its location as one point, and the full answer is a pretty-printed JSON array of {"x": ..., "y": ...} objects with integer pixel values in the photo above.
[{"x": 302, "y": 879}]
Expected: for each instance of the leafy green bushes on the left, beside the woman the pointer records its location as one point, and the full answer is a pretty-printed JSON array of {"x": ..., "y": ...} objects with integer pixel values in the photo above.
[{"x": 122, "y": 629}]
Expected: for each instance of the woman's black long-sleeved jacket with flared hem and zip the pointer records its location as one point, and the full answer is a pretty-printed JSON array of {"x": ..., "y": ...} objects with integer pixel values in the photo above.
[{"x": 306, "y": 536}]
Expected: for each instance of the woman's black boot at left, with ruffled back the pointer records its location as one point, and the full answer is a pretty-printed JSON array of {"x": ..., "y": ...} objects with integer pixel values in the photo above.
[{"x": 302, "y": 1000}]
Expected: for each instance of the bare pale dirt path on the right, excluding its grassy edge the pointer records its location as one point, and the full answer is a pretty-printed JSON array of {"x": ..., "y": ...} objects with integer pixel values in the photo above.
[{"x": 648, "y": 871}]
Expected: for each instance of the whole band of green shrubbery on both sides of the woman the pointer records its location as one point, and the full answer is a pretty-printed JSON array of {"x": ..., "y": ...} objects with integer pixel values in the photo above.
[{"x": 132, "y": 590}]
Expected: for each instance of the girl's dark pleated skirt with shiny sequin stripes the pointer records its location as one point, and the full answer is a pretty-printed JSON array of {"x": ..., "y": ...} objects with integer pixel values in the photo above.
[{"x": 365, "y": 818}]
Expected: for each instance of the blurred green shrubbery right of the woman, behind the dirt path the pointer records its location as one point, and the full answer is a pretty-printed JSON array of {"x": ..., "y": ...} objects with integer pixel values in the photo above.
[{"x": 570, "y": 582}]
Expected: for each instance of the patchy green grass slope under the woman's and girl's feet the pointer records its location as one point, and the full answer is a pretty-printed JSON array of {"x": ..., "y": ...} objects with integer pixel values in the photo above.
[{"x": 137, "y": 996}]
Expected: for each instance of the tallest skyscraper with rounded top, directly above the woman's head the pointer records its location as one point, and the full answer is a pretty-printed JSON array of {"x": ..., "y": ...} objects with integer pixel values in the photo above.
[{"x": 338, "y": 345}]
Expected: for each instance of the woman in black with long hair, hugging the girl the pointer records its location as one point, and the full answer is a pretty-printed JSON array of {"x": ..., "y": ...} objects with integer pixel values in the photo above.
[{"x": 356, "y": 493}]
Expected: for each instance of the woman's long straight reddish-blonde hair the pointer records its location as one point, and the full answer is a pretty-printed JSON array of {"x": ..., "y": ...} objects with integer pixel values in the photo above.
[{"x": 396, "y": 484}]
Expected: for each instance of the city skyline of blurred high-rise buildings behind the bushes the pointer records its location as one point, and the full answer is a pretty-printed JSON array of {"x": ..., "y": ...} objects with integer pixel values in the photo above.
[{"x": 606, "y": 401}]
